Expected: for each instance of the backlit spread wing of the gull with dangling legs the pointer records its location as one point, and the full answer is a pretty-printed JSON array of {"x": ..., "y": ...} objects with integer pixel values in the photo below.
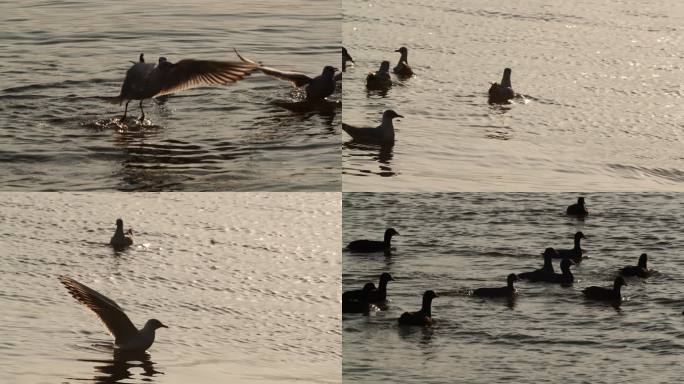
[{"x": 189, "y": 73}]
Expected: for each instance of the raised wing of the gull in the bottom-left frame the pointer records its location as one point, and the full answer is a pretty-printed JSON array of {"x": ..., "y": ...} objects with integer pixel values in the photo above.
[{"x": 111, "y": 315}]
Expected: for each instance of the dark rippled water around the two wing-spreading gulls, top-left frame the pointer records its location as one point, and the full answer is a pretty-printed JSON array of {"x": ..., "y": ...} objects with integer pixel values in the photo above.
[{"x": 60, "y": 56}]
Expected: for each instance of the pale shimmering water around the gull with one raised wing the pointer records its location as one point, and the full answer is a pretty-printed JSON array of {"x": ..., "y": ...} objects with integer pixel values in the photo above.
[{"x": 248, "y": 285}]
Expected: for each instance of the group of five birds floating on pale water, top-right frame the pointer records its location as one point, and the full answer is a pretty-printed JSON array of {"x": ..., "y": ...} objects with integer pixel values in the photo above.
[{"x": 381, "y": 80}]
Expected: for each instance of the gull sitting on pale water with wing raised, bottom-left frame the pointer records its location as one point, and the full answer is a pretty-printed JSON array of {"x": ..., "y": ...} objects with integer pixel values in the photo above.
[{"x": 126, "y": 336}]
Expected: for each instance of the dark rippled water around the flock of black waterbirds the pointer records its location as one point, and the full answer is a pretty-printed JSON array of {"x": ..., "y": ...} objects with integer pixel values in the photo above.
[{"x": 452, "y": 243}]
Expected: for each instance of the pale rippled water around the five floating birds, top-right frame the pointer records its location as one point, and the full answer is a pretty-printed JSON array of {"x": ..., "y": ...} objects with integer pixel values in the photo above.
[{"x": 601, "y": 84}]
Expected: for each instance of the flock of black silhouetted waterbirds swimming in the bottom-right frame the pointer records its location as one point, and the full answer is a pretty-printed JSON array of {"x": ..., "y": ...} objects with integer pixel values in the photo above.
[{"x": 371, "y": 298}]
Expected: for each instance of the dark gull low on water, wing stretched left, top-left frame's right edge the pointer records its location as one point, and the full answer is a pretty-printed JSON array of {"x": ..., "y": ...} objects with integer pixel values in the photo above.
[{"x": 317, "y": 88}]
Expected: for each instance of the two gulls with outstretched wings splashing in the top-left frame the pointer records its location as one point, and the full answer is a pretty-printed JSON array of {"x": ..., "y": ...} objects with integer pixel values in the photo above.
[{"x": 147, "y": 80}]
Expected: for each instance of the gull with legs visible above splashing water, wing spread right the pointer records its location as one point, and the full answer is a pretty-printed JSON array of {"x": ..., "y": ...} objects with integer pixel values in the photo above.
[{"x": 146, "y": 80}]
